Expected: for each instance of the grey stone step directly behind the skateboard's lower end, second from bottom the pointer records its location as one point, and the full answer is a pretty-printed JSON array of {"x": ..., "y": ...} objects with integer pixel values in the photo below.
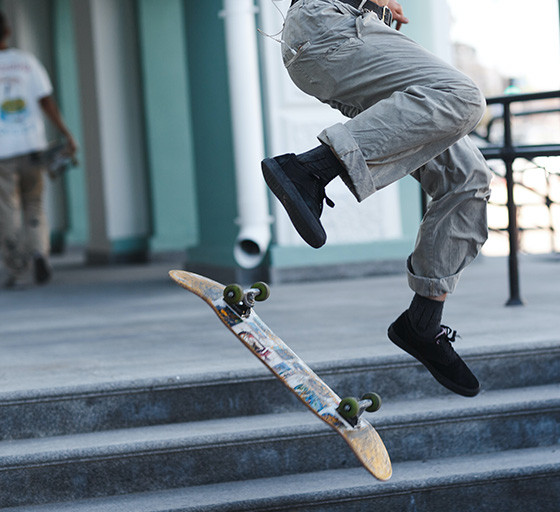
[{"x": 156, "y": 458}]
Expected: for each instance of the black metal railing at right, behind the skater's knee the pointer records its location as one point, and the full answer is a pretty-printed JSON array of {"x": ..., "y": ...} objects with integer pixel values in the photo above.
[{"x": 507, "y": 151}]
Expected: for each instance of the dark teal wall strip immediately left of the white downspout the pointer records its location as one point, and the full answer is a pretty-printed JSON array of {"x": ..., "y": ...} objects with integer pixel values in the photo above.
[{"x": 211, "y": 134}]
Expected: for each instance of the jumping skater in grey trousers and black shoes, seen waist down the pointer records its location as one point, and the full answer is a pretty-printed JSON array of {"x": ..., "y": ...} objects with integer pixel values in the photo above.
[{"x": 409, "y": 113}]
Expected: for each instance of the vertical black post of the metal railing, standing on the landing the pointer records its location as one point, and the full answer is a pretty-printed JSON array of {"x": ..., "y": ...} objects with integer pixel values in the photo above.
[{"x": 513, "y": 231}]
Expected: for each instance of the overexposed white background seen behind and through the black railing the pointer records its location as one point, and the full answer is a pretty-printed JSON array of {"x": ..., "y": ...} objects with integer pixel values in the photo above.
[{"x": 506, "y": 51}]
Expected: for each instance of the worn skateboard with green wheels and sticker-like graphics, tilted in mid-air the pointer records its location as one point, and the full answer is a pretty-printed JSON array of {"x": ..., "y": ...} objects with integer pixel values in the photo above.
[{"x": 234, "y": 307}]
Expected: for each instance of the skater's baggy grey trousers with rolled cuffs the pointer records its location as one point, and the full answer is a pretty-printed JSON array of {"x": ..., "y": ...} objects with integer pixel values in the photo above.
[{"x": 410, "y": 113}]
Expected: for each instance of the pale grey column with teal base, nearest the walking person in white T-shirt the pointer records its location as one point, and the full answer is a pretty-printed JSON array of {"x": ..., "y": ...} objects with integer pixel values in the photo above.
[{"x": 118, "y": 201}]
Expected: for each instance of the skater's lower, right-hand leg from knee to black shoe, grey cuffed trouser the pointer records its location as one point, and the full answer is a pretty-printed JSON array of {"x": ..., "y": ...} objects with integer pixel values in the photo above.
[{"x": 450, "y": 237}]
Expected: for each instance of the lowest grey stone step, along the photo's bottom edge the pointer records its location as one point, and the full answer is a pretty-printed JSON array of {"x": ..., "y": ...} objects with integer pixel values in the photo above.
[{"x": 510, "y": 481}]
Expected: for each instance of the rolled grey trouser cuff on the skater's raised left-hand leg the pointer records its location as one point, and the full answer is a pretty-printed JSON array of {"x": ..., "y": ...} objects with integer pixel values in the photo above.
[{"x": 358, "y": 178}]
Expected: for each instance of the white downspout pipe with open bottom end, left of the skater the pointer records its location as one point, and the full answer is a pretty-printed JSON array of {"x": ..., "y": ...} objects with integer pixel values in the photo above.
[{"x": 248, "y": 138}]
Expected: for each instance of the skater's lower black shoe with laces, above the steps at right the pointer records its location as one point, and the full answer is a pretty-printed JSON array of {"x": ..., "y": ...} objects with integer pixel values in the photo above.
[{"x": 437, "y": 355}]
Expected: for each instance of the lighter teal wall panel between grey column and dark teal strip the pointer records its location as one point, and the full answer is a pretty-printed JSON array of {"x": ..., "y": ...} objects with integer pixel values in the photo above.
[{"x": 169, "y": 137}]
